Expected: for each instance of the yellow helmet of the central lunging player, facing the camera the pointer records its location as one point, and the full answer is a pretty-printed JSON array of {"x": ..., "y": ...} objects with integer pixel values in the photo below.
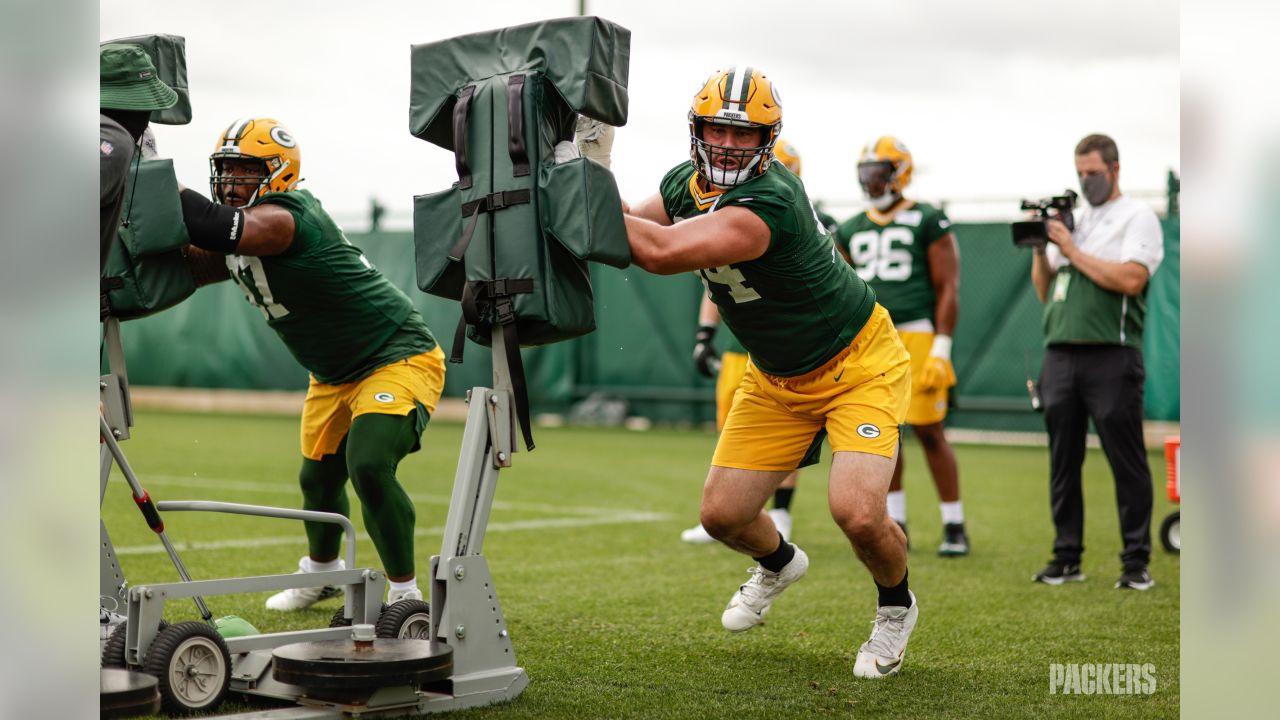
[{"x": 740, "y": 98}]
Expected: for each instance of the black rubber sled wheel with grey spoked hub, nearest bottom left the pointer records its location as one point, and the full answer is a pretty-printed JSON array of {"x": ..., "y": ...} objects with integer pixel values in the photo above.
[{"x": 194, "y": 667}]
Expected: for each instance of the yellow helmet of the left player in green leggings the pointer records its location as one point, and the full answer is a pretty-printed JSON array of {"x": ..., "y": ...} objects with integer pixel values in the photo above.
[{"x": 257, "y": 139}]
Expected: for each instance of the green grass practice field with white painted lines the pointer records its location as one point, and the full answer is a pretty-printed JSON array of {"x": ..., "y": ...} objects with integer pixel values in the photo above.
[{"x": 614, "y": 617}]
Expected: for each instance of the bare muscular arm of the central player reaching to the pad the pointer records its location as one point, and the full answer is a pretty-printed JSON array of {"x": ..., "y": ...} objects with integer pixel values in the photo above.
[{"x": 732, "y": 235}]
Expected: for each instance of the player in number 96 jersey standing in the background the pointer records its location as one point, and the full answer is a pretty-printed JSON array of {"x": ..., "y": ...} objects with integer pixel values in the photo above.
[{"x": 907, "y": 252}]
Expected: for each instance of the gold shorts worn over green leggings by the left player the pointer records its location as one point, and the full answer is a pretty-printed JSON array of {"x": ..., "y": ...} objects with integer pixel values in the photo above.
[{"x": 392, "y": 390}]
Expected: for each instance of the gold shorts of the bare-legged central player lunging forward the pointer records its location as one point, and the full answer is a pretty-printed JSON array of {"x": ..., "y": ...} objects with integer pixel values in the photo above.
[{"x": 861, "y": 397}]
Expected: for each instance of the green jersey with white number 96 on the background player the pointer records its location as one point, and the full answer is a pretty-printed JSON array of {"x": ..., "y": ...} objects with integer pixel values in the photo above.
[{"x": 893, "y": 256}]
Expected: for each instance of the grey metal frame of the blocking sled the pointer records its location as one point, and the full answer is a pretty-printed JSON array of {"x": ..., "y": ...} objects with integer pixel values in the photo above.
[{"x": 467, "y": 613}]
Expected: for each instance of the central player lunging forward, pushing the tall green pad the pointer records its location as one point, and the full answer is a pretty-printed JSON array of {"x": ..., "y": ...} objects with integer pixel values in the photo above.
[{"x": 824, "y": 356}]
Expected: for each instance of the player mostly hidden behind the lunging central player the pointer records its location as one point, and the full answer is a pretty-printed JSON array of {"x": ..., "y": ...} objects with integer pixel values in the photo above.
[{"x": 730, "y": 366}]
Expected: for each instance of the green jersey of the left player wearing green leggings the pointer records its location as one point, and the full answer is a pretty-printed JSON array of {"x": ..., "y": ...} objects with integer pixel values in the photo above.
[{"x": 337, "y": 315}]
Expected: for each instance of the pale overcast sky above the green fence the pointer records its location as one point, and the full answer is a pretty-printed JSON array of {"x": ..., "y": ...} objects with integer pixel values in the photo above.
[{"x": 990, "y": 95}]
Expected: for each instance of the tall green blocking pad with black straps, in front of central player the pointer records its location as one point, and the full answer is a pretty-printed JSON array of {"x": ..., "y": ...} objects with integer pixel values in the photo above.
[{"x": 502, "y": 101}]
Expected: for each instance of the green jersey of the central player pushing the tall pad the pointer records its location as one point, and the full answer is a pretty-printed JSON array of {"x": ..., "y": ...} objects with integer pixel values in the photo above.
[{"x": 798, "y": 306}]
